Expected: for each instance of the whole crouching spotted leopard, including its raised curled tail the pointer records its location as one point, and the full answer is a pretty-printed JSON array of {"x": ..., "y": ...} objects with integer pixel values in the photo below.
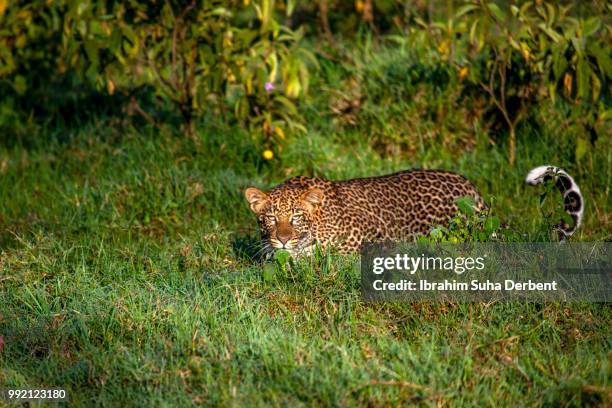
[{"x": 303, "y": 213}]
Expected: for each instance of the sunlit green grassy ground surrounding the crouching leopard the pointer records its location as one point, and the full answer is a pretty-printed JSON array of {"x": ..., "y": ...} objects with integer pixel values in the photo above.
[{"x": 123, "y": 279}]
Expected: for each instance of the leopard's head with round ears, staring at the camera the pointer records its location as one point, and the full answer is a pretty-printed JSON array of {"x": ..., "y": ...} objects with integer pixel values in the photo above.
[{"x": 287, "y": 217}]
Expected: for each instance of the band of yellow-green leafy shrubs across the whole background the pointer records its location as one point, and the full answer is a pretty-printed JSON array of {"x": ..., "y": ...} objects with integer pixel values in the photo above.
[{"x": 251, "y": 62}]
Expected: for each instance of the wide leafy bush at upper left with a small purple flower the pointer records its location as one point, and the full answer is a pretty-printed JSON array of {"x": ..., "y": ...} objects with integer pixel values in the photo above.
[{"x": 230, "y": 59}]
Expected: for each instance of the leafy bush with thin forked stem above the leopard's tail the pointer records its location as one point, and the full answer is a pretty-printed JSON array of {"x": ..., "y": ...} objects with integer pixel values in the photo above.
[{"x": 525, "y": 54}]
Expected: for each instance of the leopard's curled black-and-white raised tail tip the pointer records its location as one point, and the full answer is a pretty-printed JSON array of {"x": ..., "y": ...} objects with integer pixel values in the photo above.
[{"x": 573, "y": 203}]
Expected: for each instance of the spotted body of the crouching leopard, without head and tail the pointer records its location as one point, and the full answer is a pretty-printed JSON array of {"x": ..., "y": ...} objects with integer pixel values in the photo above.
[{"x": 392, "y": 207}]
